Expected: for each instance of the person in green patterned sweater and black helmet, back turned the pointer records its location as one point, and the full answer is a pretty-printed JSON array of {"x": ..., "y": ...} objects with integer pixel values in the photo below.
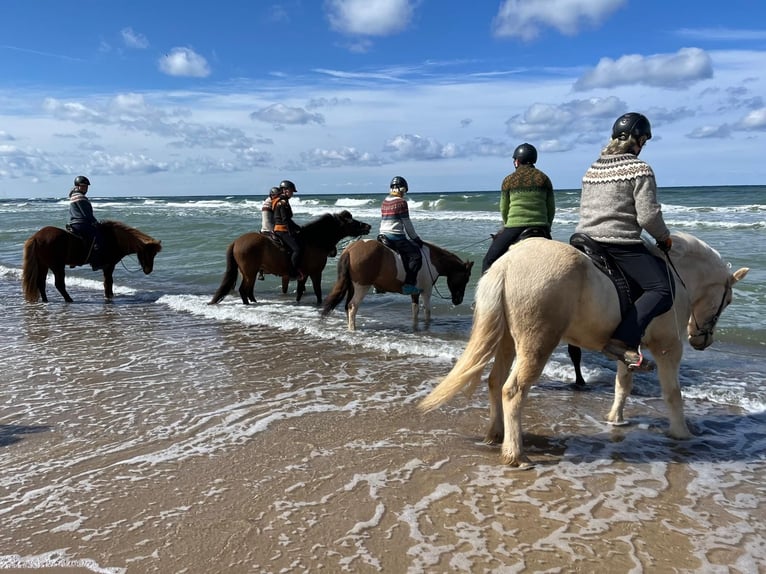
[{"x": 526, "y": 204}]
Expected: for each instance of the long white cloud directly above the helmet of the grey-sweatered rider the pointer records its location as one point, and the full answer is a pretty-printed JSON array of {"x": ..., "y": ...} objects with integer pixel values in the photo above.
[{"x": 680, "y": 70}]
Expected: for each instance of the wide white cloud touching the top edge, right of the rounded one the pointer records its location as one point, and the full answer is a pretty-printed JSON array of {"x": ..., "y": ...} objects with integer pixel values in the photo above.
[{"x": 525, "y": 19}]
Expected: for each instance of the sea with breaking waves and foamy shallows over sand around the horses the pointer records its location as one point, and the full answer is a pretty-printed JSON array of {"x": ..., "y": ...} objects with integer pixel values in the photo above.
[{"x": 157, "y": 433}]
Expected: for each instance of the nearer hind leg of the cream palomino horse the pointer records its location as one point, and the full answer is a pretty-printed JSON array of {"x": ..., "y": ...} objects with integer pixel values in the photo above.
[{"x": 525, "y": 372}]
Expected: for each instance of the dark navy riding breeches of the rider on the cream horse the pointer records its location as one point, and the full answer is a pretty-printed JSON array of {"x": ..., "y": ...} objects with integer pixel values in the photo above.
[{"x": 650, "y": 275}]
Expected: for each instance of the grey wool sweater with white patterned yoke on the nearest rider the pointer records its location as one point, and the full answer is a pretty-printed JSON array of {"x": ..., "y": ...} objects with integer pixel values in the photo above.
[{"x": 619, "y": 199}]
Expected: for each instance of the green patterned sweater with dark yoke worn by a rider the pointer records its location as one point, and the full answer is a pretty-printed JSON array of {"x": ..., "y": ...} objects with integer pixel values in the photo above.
[{"x": 526, "y": 198}]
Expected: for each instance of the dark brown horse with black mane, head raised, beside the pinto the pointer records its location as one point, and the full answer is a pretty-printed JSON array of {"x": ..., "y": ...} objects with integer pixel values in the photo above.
[{"x": 254, "y": 251}]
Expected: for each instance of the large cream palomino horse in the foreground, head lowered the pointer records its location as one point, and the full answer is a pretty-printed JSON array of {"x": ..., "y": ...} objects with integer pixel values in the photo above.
[{"x": 542, "y": 292}]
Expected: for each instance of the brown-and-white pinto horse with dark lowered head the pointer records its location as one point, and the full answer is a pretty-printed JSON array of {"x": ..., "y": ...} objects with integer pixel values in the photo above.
[{"x": 369, "y": 263}]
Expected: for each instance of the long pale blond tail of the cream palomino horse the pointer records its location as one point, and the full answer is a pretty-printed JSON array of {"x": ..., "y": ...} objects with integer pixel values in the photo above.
[{"x": 489, "y": 325}]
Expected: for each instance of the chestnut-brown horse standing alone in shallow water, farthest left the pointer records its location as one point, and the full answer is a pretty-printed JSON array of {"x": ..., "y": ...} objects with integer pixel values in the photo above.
[{"x": 54, "y": 248}]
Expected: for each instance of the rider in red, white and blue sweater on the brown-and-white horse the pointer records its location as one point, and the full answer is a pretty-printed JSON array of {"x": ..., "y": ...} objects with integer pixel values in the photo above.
[{"x": 400, "y": 234}]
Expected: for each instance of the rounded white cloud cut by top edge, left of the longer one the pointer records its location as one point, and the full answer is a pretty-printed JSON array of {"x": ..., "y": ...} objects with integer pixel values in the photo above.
[{"x": 370, "y": 17}]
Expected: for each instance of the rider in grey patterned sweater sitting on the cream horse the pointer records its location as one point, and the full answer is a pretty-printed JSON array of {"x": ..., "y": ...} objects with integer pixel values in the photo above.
[{"x": 618, "y": 201}]
